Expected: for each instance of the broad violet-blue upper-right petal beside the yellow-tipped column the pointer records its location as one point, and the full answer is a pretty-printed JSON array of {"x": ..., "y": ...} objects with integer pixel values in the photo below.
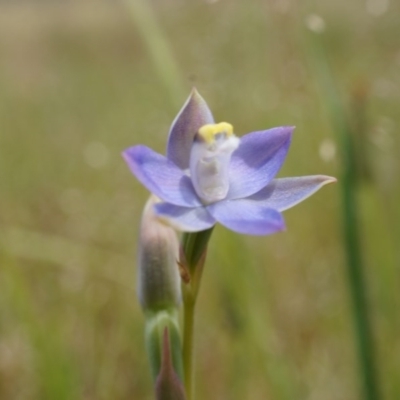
[{"x": 257, "y": 160}]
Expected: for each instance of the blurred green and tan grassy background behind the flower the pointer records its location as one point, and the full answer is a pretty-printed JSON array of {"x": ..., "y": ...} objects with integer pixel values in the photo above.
[{"x": 82, "y": 80}]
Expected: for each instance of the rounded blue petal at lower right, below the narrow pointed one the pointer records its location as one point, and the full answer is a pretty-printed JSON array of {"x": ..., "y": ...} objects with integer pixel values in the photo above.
[{"x": 248, "y": 217}]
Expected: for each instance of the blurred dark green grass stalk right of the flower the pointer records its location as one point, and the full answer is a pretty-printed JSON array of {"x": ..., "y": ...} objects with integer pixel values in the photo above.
[{"x": 351, "y": 236}]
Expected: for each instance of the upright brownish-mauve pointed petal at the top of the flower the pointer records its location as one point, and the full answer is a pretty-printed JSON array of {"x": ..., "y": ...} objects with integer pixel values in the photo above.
[{"x": 193, "y": 115}]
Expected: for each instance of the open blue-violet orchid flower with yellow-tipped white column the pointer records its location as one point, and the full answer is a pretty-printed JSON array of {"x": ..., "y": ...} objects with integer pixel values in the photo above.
[{"x": 210, "y": 175}]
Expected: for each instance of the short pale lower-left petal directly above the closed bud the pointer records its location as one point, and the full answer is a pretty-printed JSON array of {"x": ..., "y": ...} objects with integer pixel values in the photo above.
[{"x": 184, "y": 218}]
